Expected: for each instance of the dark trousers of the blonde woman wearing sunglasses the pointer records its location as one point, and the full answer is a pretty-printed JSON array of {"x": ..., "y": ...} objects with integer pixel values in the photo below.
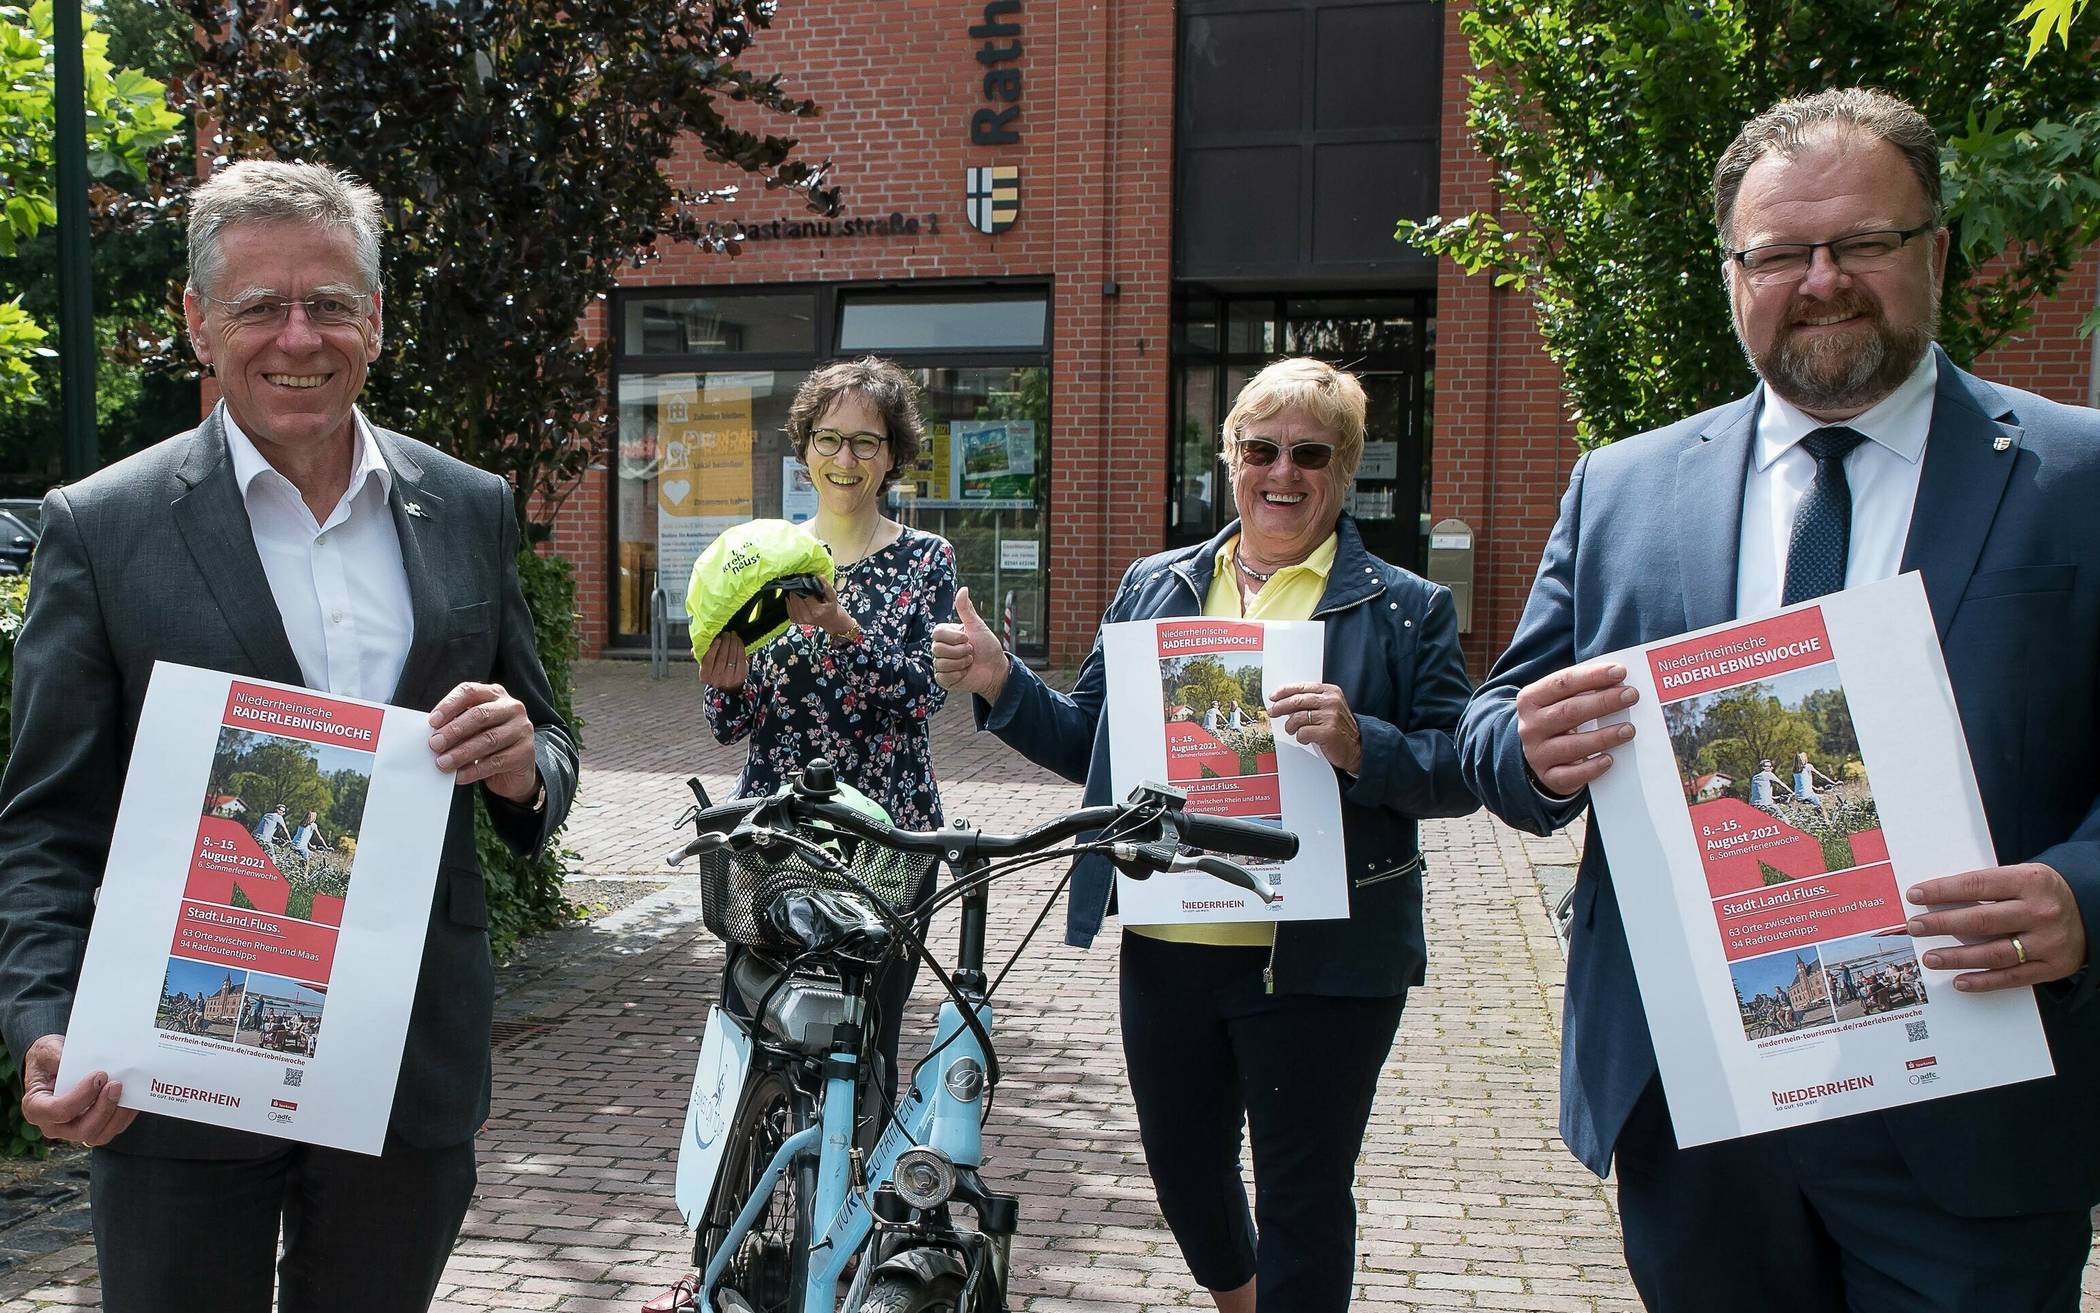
[{"x": 1211, "y": 1051}]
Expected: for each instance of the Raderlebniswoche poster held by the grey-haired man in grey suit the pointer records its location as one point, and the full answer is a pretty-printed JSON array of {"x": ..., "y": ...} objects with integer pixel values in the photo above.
[{"x": 261, "y": 921}]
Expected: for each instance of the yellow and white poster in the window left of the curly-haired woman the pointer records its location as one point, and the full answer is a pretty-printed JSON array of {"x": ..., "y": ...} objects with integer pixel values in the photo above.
[{"x": 705, "y": 476}]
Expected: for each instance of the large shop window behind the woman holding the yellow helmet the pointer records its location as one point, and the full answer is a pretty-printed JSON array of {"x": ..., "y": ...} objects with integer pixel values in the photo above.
[{"x": 702, "y": 440}]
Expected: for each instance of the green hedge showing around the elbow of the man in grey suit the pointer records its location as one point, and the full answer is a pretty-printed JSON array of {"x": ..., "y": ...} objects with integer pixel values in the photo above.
[{"x": 526, "y": 892}]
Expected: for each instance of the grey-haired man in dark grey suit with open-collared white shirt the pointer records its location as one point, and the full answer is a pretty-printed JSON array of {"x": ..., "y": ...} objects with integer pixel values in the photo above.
[{"x": 285, "y": 539}]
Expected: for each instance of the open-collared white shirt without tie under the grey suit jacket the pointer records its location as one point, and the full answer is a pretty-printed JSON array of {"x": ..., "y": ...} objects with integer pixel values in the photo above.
[{"x": 339, "y": 585}]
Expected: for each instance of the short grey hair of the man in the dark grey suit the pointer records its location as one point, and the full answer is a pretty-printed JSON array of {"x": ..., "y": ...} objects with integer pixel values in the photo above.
[{"x": 278, "y": 192}]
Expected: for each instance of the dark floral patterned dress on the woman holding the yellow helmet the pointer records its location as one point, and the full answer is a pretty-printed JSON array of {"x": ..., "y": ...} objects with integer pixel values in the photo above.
[{"x": 864, "y": 705}]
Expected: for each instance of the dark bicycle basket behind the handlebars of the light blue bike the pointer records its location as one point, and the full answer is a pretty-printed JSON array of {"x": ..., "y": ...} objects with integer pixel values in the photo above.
[{"x": 736, "y": 888}]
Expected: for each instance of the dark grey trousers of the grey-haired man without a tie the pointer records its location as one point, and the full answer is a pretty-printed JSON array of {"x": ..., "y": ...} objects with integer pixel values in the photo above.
[{"x": 201, "y": 1236}]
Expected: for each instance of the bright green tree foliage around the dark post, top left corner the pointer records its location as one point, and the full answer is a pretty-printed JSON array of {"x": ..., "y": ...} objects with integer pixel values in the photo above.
[{"x": 127, "y": 121}]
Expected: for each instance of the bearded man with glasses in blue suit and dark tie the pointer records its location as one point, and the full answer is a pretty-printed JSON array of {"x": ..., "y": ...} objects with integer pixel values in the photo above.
[{"x": 1866, "y": 453}]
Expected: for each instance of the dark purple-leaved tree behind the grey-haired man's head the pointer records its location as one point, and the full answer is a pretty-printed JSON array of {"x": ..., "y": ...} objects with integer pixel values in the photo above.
[{"x": 522, "y": 152}]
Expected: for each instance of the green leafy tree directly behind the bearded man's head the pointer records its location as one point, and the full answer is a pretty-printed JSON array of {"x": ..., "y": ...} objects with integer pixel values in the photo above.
[{"x": 1605, "y": 121}]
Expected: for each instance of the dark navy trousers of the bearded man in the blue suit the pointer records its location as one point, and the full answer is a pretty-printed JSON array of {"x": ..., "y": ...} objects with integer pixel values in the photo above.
[{"x": 1824, "y": 1220}]
